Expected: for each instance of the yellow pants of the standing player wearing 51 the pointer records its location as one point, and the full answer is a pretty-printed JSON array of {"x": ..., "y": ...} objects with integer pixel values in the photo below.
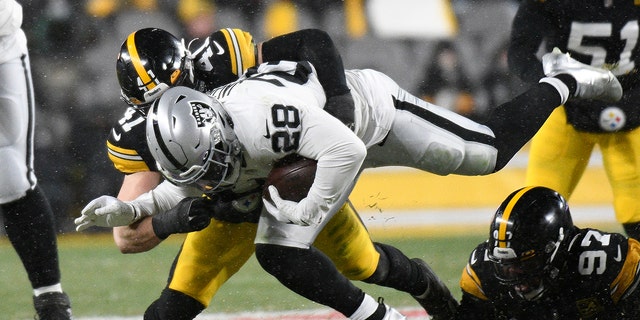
[{"x": 559, "y": 156}]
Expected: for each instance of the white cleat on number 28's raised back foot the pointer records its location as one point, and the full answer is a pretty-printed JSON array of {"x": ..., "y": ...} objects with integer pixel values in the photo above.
[{"x": 592, "y": 83}]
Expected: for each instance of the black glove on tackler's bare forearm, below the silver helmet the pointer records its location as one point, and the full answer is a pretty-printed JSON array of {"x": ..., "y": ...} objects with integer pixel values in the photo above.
[{"x": 190, "y": 214}]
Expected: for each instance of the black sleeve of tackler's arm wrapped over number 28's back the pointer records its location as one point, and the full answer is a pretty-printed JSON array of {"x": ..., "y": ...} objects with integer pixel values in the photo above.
[{"x": 315, "y": 46}]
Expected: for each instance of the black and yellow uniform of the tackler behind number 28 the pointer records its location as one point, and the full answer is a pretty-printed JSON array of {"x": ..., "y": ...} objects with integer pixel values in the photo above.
[{"x": 209, "y": 257}]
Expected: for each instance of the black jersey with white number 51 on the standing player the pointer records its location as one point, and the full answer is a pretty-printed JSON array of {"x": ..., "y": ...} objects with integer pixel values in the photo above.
[{"x": 601, "y": 33}]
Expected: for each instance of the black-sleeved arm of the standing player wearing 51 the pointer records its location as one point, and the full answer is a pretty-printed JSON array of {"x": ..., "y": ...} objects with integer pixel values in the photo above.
[{"x": 527, "y": 33}]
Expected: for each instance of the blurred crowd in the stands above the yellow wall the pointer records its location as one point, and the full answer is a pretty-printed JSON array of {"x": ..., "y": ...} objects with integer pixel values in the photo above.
[{"x": 74, "y": 45}]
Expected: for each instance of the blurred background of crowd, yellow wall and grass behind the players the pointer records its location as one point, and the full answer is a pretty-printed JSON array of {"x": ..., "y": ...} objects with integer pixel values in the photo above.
[{"x": 458, "y": 45}]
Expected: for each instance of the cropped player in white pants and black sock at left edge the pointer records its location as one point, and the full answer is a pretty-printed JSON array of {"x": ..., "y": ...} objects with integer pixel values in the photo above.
[{"x": 28, "y": 218}]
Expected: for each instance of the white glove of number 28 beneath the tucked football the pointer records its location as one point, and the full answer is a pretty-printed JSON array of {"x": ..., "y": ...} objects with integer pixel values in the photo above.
[{"x": 289, "y": 211}]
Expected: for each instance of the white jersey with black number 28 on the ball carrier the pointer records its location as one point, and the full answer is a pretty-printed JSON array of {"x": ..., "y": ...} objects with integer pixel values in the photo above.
[{"x": 278, "y": 113}]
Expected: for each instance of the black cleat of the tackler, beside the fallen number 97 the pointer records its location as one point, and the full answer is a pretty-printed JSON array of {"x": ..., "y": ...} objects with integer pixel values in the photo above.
[{"x": 437, "y": 300}]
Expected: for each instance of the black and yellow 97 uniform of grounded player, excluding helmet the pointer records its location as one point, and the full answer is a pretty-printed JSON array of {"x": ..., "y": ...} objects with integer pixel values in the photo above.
[{"x": 597, "y": 281}]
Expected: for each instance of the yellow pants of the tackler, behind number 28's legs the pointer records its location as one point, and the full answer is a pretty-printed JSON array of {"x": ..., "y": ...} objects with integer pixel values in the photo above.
[{"x": 210, "y": 257}]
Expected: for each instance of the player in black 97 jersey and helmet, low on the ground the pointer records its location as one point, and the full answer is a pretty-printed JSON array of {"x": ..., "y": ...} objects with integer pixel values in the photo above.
[{"x": 538, "y": 265}]
